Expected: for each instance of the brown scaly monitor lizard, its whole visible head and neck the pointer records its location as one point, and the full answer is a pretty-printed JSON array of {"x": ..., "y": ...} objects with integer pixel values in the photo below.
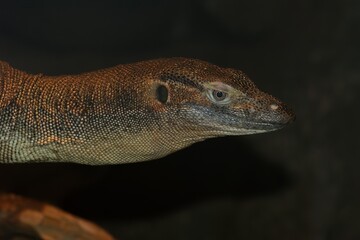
[{"x": 128, "y": 113}]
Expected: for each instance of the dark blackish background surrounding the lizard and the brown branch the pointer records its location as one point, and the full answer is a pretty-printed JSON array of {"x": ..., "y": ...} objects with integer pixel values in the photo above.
[{"x": 298, "y": 183}]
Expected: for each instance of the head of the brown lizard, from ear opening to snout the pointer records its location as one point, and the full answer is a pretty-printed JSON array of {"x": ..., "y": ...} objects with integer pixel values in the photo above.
[{"x": 213, "y": 101}]
